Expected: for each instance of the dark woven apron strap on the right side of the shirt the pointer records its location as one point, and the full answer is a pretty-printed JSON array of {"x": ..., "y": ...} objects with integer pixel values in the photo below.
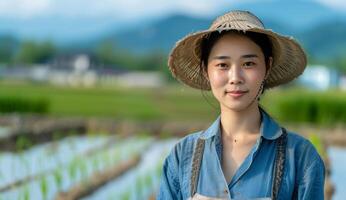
[{"x": 279, "y": 163}]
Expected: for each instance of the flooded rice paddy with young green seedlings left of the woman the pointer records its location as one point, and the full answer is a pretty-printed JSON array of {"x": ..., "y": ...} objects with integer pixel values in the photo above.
[{"x": 52, "y": 170}]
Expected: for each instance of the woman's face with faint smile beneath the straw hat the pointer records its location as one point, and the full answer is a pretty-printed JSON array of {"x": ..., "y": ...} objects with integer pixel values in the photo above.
[{"x": 236, "y": 69}]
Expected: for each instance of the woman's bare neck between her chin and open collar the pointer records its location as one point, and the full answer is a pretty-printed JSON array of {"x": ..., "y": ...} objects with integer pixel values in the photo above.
[{"x": 236, "y": 124}]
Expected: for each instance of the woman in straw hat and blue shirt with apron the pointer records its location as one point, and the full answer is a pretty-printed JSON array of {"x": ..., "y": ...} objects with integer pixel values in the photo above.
[{"x": 244, "y": 154}]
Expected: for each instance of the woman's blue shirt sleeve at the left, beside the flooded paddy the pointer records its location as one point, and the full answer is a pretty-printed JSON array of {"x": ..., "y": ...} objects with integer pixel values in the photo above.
[{"x": 169, "y": 184}]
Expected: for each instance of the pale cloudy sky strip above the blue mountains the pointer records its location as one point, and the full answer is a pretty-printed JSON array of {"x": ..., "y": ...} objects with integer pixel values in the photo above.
[{"x": 121, "y": 10}]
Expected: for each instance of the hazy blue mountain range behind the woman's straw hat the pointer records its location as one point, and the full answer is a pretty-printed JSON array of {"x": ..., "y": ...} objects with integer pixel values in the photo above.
[{"x": 320, "y": 29}]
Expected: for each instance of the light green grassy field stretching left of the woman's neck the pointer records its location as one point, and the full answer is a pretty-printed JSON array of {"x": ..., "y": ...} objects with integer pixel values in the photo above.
[{"x": 117, "y": 102}]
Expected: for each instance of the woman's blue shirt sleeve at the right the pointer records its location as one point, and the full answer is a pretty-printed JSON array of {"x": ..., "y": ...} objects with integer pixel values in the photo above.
[{"x": 311, "y": 182}]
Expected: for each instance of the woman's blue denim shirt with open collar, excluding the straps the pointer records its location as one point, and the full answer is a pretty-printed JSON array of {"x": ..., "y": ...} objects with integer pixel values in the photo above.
[{"x": 304, "y": 170}]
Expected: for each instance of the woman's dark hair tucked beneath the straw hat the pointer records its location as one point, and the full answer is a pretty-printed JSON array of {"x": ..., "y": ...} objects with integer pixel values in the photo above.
[{"x": 260, "y": 39}]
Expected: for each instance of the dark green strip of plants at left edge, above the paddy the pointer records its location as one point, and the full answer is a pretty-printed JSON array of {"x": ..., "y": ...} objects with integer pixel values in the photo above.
[{"x": 9, "y": 104}]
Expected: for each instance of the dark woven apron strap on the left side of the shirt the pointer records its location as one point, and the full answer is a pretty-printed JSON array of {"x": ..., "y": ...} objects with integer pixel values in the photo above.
[{"x": 196, "y": 165}]
